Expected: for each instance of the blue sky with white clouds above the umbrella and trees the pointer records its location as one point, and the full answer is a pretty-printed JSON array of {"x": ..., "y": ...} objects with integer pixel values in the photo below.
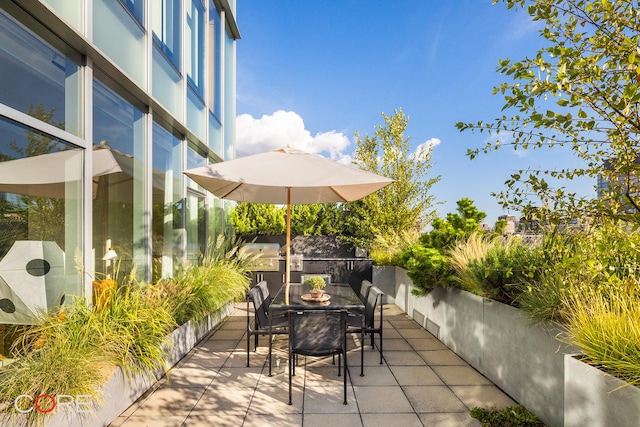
[{"x": 312, "y": 73}]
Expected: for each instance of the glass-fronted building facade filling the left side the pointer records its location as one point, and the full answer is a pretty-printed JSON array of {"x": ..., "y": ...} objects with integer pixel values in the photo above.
[{"x": 103, "y": 104}]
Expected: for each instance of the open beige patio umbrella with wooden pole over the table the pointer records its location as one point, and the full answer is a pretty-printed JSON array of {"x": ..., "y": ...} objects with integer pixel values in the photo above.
[{"x": 285, "y": 177}]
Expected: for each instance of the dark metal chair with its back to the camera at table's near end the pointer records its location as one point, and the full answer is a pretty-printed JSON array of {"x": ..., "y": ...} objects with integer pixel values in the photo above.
[{"x": 318, "y": 333}]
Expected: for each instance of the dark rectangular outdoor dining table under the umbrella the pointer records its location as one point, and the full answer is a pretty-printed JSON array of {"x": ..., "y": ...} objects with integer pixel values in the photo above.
[{"x": 342, "y": 297}]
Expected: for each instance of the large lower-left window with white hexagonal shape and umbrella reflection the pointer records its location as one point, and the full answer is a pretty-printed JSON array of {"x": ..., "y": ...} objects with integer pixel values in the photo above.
[{"x": 40, "y": 226}]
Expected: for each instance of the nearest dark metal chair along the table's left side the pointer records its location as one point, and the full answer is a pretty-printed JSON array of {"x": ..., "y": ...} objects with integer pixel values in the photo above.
[{"x": 263, "y": 323}]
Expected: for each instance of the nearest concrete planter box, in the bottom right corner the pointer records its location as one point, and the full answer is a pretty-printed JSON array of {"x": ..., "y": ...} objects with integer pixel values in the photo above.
[{"x": 597, "y": 399}]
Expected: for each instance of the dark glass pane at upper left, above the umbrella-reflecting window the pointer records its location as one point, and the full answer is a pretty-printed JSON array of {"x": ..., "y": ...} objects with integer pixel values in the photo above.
[{"x": 37, "y": 79}]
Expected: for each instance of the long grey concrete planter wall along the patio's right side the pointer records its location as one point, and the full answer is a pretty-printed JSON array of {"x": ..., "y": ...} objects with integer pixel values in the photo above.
[{"x": 526, "y": 361}]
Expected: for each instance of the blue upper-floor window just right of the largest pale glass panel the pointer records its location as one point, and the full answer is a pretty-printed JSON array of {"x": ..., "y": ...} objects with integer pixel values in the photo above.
[{"x": 166, "y": 28}]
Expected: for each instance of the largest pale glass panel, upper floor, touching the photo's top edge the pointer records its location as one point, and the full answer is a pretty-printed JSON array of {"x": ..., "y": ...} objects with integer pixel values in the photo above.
[{"x": 118, "y": 35}]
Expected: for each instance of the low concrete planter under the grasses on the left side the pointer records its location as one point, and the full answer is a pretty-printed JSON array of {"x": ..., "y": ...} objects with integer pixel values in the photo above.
[{"x": 121, "y": 392}]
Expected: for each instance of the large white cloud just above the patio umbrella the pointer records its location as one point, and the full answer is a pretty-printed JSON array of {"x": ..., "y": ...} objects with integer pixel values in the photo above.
[{"x": 284, "y": 128}]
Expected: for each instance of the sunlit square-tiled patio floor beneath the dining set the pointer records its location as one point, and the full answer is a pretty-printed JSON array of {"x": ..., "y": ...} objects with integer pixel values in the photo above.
[{"x": 420, "y": 383}]
